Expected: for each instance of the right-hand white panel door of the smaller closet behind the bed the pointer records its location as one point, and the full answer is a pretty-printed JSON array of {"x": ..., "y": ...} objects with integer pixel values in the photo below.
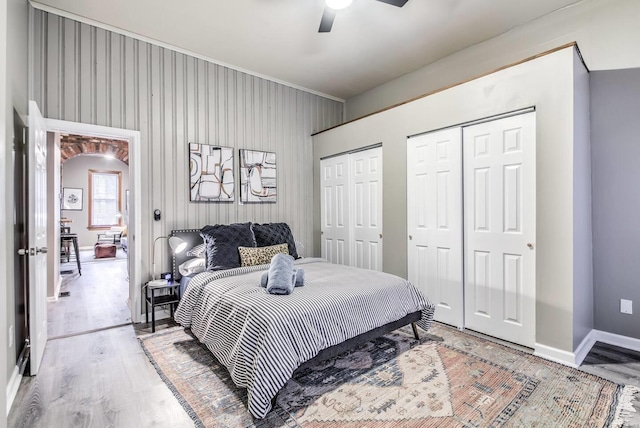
[{"x": 366, "y": 208}]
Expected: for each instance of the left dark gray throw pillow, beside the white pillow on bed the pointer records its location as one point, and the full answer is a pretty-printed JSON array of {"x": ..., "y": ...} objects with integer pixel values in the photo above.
[{"x": 222, "y": 242}]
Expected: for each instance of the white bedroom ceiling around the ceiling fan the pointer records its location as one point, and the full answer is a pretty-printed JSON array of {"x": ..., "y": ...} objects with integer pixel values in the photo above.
[{"x": 370, "y": 44}]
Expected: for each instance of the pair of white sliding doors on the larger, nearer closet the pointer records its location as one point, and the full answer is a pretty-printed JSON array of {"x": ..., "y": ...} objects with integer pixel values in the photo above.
[{"x": 471, "y": 225}]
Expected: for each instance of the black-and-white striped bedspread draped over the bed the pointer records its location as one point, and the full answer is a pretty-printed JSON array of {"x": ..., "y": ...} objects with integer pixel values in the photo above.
[{"x": 262, "y": 338}]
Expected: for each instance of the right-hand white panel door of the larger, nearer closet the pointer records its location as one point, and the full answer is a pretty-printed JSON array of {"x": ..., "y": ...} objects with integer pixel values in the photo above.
[{"x": 500, "y": 228}]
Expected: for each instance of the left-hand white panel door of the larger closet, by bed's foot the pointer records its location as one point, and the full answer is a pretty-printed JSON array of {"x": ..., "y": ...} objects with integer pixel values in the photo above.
[{"x": 434, "y": 220}]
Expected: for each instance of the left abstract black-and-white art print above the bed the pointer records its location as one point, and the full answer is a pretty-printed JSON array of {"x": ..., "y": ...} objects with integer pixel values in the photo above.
[{"x": 211, "y": 173}]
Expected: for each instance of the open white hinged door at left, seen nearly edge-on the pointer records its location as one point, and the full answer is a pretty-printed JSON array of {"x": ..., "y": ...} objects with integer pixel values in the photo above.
[{"x": 37, "y": 223}]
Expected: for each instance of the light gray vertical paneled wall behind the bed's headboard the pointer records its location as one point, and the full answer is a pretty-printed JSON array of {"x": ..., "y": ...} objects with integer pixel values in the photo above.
[{"x": 90, "y": 75}]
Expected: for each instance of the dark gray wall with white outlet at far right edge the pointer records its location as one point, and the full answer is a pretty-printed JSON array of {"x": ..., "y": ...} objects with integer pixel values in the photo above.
[{"x": 615, "y": 139}]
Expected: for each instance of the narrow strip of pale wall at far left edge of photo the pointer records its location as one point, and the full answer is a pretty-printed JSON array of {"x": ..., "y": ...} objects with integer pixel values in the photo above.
[{"x": 14, "y": 24}]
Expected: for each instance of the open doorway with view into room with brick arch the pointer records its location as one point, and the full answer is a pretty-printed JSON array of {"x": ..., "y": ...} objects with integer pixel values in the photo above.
[{"x": 93, "y": 217}]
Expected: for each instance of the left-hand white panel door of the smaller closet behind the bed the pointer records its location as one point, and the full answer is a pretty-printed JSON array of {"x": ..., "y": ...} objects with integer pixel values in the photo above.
[{"x": 334, "y": 188}]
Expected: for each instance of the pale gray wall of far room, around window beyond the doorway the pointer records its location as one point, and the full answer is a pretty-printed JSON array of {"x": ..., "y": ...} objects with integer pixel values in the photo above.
[{"x": 75, "y": 173}]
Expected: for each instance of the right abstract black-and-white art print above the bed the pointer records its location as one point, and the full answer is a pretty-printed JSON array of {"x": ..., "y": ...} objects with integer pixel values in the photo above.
[{"x": 257, "y": 176}]
